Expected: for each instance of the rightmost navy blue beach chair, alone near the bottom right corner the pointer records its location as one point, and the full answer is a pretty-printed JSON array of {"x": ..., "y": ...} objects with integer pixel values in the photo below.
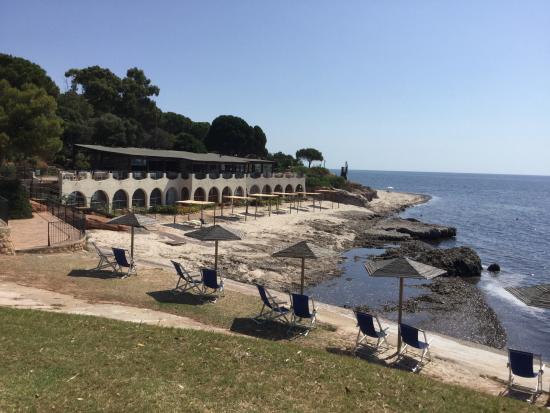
[{"x": 521, "y": 364}]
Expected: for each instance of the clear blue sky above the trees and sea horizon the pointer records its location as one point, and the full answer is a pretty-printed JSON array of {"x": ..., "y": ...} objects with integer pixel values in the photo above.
[{"x": 459, "y": 86}]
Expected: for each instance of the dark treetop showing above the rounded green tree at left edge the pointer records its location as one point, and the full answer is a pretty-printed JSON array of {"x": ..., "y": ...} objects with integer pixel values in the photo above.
[{"x": 18, "y": 71}]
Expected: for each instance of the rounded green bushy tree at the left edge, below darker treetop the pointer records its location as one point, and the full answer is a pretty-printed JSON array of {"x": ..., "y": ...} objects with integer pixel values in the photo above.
[{"x": 29, "y": 125}]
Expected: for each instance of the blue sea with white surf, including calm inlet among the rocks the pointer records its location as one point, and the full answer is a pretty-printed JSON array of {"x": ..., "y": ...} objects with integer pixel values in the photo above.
[{"x": 504, "y": 218}]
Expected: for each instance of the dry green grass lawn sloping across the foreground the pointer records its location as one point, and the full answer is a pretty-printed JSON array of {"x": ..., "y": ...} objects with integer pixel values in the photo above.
[{"x": 75, "y": 363}]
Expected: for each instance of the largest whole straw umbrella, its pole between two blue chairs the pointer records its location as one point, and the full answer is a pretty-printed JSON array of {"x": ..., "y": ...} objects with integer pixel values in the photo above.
[{"x": 401, "y": 268}]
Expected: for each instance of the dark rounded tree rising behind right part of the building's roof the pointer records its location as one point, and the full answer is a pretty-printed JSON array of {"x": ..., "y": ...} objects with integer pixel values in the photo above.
[{"x": 231, "y": 135}]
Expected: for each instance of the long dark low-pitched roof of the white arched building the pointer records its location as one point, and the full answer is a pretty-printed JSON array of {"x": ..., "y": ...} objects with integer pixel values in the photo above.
[{"x": 162, "y": 153}]
